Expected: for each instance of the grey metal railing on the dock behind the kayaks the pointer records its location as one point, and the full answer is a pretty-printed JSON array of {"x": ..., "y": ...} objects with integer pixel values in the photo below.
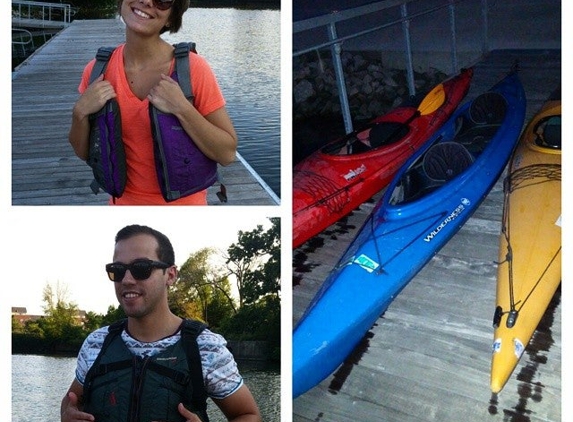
[{"x": 329, "y": 23}]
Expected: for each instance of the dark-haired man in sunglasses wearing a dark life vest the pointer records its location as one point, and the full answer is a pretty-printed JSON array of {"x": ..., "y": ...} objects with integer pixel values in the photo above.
[{"x": 142, "y": 270}]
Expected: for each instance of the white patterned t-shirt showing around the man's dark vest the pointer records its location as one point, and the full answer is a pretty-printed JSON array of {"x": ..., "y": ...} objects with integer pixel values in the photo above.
[{"x": 220, "y": 371}]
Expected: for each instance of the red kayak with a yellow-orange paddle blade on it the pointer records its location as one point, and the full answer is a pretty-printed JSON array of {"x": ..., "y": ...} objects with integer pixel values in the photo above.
[{"x": 339, "y": 177}]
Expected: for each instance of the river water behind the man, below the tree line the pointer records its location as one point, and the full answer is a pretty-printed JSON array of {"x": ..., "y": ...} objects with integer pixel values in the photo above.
[{"x": 40, "y": 382}]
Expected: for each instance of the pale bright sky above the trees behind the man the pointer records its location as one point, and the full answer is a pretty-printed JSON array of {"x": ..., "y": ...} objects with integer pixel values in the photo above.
[{"x": 69, "y": 246}]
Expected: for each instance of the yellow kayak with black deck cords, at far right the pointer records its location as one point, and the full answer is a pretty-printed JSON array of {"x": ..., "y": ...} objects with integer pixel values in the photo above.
[{"x": 529, "y": 269}]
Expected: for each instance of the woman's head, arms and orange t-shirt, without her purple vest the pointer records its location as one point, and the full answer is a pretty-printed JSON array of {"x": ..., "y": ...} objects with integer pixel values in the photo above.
[{"x": 137, "y": 76}]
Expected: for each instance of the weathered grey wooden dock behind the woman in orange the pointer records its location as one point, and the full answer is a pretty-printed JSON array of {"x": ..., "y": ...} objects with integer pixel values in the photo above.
[{"x": 45, "y": 170}]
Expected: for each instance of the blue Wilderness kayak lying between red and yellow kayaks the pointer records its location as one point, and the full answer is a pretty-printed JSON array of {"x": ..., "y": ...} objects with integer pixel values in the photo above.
[{"x": 433, "y": 194}]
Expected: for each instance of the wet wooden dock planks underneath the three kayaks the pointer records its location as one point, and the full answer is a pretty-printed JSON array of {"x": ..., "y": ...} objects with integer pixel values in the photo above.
[{"x": 427, "y": 358}]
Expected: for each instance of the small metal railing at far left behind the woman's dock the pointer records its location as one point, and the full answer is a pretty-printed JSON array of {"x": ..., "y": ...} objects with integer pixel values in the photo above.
[{"x": 44, "y": 14}]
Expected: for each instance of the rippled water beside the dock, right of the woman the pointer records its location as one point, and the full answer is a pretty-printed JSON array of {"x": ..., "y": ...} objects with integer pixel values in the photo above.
[{"x": 243, "y": 48}]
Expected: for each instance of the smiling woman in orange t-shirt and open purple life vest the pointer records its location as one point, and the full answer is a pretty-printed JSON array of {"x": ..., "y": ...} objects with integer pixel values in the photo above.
[{"x": 139, "y": 80}]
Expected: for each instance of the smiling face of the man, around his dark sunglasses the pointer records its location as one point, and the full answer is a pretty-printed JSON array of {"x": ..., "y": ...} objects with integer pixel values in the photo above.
[{"x": 140, "y": 298}]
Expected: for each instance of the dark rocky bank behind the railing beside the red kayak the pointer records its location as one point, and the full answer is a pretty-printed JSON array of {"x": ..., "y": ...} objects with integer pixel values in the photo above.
[{"x": 372, "y": 90}]
